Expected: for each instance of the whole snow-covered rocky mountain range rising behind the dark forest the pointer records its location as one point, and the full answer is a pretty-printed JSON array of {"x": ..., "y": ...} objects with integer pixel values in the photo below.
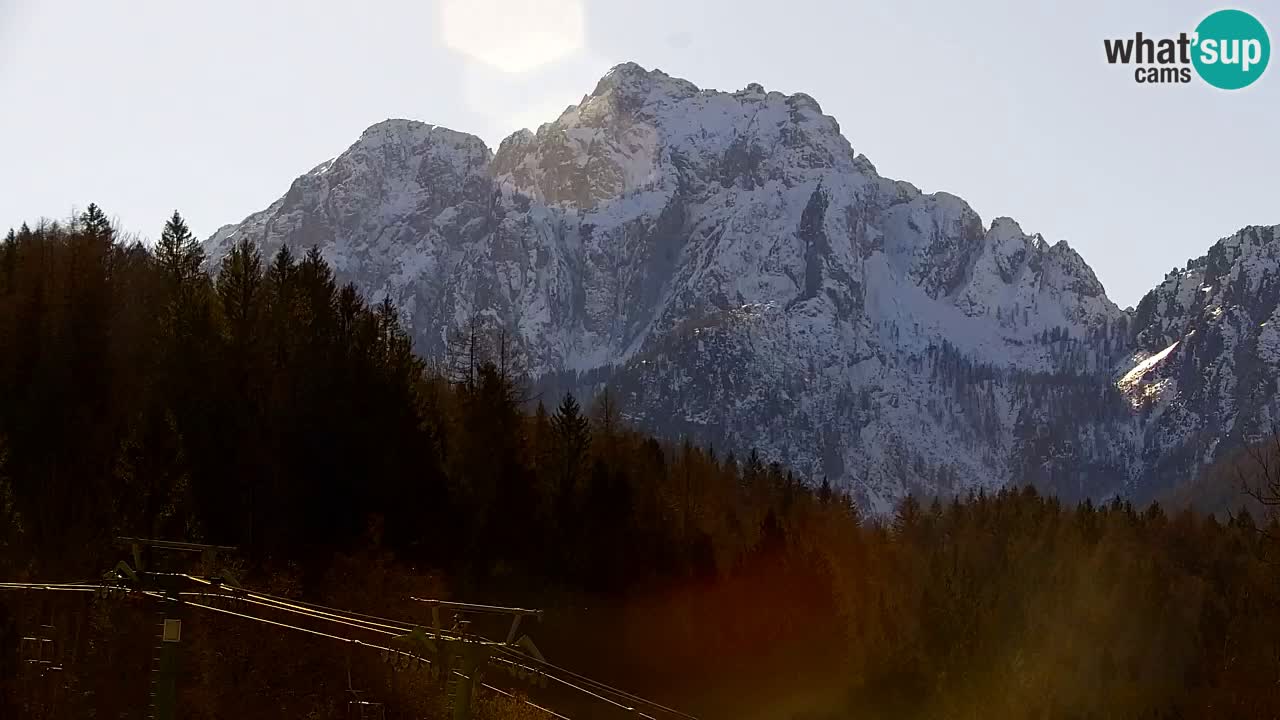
[{"x": 740, "y": 274}]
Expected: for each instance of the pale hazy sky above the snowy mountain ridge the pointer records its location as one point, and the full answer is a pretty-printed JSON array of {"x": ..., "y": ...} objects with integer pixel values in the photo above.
[{"x": 214, "y": 108}]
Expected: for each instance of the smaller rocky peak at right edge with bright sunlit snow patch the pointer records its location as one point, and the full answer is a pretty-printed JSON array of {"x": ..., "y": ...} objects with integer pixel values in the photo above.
[{"x": 1208, "y": 357}]
